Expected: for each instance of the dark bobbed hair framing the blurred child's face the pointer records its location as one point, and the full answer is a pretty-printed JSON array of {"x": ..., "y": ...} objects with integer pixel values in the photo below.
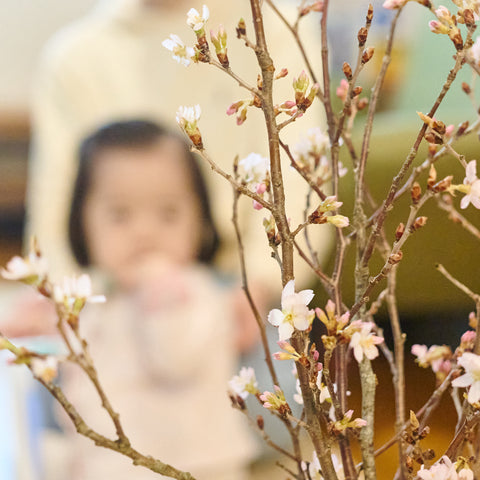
[{"x": 133, "y": 134}]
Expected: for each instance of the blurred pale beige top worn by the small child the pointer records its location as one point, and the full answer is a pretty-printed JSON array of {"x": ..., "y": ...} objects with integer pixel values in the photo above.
[{"x": 167, "y": 376}]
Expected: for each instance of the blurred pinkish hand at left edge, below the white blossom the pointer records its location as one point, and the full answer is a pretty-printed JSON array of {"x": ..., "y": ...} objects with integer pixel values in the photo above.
[{"x": 30, "y": 315}]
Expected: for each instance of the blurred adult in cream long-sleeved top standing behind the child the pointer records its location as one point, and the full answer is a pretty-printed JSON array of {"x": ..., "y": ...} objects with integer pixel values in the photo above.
[{"x": 111, "y": 65}]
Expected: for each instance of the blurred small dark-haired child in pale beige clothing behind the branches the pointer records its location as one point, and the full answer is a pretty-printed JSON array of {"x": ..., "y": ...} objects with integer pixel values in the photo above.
[{"x": 166, "y": 342}]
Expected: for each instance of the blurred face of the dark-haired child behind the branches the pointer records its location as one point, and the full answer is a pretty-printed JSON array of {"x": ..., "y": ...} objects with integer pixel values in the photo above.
[{"x": 141, "y": 206}]
